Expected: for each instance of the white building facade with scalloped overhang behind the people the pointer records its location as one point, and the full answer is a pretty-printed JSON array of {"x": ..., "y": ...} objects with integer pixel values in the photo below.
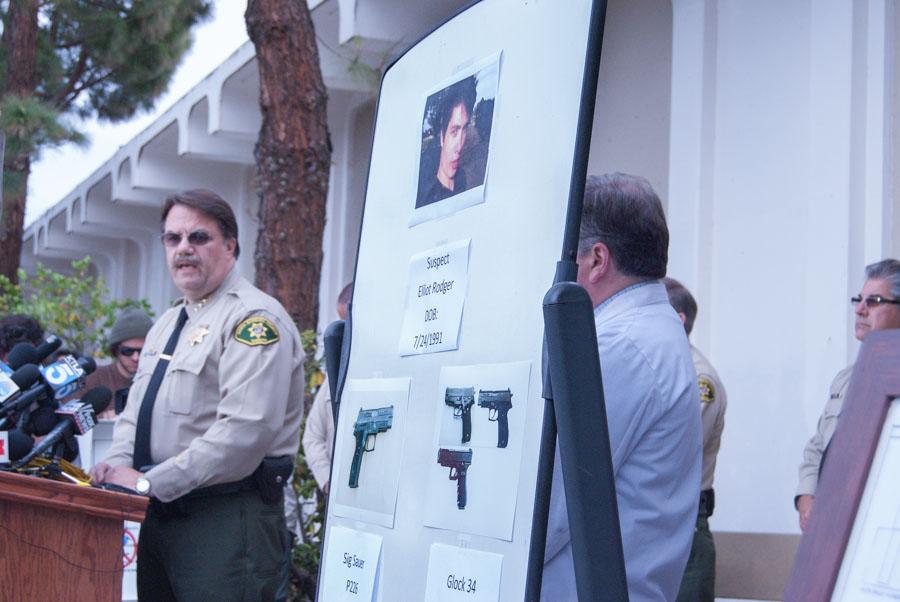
[{"x": 768, "y": 129}]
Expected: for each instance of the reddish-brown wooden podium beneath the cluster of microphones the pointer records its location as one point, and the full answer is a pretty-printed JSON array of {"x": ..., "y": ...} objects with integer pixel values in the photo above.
[{"x": 60, "y": 541}]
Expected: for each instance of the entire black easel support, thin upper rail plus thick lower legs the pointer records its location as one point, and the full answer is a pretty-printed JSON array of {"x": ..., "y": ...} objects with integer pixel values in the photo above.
[{"x": 575, "y": 409}]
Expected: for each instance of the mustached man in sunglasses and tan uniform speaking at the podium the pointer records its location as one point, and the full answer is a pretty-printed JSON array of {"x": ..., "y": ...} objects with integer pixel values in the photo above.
[{"x": 212, "y": 422}]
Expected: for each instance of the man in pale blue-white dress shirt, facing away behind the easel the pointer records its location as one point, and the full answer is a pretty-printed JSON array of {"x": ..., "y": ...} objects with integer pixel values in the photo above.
[{"x": 650, "y": 388}]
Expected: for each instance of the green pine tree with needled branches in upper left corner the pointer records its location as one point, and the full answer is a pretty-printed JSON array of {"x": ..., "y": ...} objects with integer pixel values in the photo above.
[{"x": 104, "y": 58}]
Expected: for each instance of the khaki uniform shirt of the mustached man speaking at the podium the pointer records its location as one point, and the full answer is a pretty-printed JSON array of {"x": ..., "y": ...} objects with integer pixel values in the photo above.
[{"x": 223, "y": 404}]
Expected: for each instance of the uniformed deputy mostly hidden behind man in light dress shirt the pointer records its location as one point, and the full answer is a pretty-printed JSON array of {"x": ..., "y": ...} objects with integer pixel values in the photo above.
[{"x": 699, "y": 582}]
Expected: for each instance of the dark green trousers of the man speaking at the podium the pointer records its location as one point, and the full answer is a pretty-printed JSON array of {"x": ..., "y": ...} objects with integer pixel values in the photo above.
[{"x": 224, "y": 548}]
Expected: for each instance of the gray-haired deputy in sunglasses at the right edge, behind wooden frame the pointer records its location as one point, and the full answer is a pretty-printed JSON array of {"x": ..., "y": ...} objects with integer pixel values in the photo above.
[{"x": 877, "y": 307}]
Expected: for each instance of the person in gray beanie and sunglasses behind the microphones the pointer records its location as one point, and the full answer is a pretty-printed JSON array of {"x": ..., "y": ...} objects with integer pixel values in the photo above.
[{"x": 125, "y": 340}]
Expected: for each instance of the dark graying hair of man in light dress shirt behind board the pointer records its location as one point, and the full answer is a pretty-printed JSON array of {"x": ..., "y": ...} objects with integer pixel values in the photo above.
[{"x": 624, "y": 213}]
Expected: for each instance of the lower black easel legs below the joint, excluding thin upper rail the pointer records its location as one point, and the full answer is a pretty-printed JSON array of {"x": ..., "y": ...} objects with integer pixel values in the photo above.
[{"x": 575, "y": 415}]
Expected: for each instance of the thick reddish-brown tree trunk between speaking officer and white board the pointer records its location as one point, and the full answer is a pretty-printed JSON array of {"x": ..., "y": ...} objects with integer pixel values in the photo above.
[{"x": 293, "y": 156}]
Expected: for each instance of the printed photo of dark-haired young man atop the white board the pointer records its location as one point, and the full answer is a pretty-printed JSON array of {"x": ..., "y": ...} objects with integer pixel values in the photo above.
[{"x": 456, "y": 135}]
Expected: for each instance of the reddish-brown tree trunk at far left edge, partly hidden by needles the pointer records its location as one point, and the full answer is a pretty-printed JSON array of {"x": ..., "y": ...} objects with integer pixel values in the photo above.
[{"x": 20, "y": 44}]
